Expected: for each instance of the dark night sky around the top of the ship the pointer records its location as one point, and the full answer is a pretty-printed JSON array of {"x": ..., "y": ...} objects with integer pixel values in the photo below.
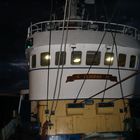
[{"x": 15, "y": 17}]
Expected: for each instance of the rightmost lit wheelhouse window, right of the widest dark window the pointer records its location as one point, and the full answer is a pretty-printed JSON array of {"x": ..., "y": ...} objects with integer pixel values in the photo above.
[{"x": 109, "y": 58}]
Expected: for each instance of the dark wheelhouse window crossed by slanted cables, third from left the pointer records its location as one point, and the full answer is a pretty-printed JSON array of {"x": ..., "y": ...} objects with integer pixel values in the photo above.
[{"x": 60, "y": 58}]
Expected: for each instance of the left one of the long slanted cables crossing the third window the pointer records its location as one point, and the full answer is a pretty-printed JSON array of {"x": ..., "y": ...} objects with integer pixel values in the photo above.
[{"x": 54, "y": 94}]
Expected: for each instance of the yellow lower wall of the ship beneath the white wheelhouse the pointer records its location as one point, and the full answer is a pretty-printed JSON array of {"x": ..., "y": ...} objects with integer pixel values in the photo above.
[{"x": 89, "y": 119}]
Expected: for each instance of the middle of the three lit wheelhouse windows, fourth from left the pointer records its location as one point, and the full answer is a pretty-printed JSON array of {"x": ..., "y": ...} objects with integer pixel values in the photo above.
[{"x": 76, "y": 57}]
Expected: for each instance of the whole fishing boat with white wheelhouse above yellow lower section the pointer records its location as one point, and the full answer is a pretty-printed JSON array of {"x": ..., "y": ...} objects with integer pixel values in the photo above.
[{"x": 81, "y": 75}]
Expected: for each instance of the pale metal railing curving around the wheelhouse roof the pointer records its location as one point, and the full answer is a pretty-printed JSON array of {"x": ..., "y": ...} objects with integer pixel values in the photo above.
[{"x": 83, "y": 25}]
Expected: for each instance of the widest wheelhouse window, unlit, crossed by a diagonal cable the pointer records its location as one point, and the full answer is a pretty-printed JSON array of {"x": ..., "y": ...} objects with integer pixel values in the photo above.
[{"x": 93, "y": 58}]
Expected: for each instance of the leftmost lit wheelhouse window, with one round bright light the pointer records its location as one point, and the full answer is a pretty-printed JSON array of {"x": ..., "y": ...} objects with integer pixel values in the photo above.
[{"x": 45, "y": 59}]
